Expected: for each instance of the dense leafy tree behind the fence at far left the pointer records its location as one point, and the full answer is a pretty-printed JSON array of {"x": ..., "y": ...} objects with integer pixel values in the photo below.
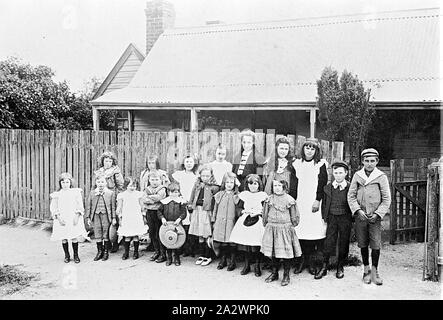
[{"x": 31, "y": 99}]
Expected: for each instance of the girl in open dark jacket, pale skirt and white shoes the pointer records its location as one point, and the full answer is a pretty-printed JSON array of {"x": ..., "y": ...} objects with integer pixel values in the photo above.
[{"x": 201, "y": 206}]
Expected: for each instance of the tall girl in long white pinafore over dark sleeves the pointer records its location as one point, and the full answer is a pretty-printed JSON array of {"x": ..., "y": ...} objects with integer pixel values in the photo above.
[{"x": 312, "y": 177}]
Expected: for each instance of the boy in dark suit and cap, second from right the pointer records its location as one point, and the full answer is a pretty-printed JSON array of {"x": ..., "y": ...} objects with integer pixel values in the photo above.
[{"x": 336, "y": 212}]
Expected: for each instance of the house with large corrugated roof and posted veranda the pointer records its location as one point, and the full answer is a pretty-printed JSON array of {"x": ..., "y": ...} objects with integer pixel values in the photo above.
[{"x": 263, "y": 75}]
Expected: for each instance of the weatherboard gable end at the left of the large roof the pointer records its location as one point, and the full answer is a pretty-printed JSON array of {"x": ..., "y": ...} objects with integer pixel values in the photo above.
[{"x": 123, "y": 71}]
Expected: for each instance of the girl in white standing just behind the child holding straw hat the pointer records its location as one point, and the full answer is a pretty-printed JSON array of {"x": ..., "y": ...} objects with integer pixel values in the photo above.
[{"x": 186, "y": 177}]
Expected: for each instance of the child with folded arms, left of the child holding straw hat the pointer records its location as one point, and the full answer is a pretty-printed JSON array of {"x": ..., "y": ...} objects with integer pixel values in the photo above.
[{"x": 154, "y": 192}]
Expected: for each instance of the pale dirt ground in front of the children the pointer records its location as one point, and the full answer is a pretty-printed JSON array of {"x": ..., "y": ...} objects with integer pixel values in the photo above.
[{"x": 30, "y": 250}]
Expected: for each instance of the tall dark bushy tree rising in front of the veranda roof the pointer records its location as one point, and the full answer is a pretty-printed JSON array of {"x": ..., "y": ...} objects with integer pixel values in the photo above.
[{"x": 345, "y": 111}]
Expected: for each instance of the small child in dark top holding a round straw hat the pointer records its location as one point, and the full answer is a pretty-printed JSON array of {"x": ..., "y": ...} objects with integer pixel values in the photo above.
[{"x": 172, "y": 209}]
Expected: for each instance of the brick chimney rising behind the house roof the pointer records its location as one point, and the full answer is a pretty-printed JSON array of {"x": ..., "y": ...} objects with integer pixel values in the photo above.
[{"x": 160, "y": 15}]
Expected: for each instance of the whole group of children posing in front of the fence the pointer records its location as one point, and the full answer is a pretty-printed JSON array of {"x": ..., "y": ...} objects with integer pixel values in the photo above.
[{"x": 224, "y": 208}]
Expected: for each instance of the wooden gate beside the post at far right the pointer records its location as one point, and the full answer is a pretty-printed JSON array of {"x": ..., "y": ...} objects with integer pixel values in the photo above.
[{"x": 408, "y": 192}]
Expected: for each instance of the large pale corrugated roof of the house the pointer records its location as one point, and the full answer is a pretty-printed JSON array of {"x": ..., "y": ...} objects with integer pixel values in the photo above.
[{"x": 395, "y": 54}]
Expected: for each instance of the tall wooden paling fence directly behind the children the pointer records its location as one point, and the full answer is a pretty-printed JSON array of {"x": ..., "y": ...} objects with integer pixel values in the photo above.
[{"x": 31, "y": 160}]
